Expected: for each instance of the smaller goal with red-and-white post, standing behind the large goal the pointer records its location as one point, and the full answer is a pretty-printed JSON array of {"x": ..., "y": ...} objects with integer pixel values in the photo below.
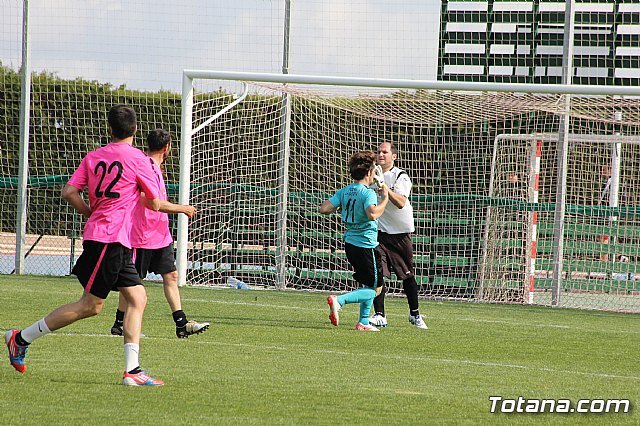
[{"x": 599, "y": 251}]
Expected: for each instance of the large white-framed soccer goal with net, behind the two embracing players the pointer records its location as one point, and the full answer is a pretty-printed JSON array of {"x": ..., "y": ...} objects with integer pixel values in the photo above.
[{"x": 260, "y": 152}]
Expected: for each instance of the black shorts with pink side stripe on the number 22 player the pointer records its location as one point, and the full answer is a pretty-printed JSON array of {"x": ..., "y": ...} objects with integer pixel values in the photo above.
[{"x": 103, "y": 267}]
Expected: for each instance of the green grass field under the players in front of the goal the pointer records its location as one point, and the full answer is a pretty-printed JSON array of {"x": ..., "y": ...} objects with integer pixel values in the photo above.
[{"x": 273, "y": 358}]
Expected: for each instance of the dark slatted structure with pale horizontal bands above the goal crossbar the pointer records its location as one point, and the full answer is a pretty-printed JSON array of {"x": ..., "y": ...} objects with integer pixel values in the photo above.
[{"x": 522, "y": 42}]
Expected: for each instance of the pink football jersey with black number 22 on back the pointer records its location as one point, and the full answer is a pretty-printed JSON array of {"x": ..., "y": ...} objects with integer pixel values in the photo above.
[{"x": 114, "y": 175}]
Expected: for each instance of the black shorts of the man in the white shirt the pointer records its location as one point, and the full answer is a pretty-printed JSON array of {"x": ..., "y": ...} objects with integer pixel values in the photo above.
[{"x": 397, "y": 254}]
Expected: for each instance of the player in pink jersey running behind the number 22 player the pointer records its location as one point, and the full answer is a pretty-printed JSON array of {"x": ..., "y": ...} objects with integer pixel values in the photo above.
[{"x": 153, "y": 243}]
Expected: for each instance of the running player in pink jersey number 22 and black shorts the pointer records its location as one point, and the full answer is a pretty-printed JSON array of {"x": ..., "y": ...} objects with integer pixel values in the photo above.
[{"x": 113, "y": 176}]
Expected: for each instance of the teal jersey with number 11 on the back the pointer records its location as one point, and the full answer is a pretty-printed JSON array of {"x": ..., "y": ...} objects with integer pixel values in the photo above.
[{"x": 354, "y": 200}]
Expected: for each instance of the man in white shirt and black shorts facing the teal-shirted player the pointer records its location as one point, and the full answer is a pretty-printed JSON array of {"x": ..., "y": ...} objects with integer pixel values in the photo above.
[{"x": 395, "y": 227}]
